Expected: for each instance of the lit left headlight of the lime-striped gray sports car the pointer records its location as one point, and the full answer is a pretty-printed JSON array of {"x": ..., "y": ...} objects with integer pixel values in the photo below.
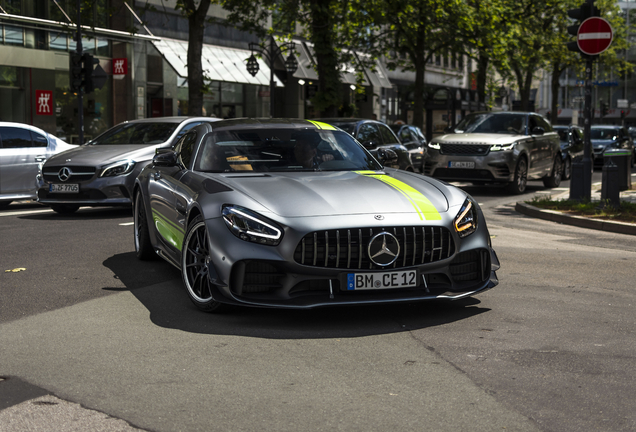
[{"x": 249, "y": 226}]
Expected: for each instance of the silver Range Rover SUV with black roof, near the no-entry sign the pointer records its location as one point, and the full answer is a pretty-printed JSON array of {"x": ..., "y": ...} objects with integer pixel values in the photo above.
[{"x": 498, "y": 147}]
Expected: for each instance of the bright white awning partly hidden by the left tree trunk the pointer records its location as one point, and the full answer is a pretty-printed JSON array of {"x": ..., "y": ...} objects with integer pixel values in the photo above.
[{"x": 219, "y": 63}]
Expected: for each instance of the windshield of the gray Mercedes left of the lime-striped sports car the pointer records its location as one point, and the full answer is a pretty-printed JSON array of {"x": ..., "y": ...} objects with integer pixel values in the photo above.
[{"x": 136, "y": 133}]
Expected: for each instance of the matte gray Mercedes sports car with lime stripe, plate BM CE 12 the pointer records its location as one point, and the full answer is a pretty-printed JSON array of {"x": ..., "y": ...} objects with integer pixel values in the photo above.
[{"x": 297, "y": 214}]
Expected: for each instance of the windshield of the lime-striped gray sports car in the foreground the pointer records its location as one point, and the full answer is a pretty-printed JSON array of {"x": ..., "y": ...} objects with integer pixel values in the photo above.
[{"x": 279, "y": 150}]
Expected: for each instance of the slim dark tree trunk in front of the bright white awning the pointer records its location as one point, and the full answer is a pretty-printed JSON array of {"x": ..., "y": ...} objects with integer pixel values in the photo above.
[{"x": 196, "y": 27}]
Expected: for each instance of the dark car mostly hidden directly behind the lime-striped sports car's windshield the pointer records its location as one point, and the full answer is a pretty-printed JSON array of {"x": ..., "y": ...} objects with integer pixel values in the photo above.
[{"x": 374, "y": 135}]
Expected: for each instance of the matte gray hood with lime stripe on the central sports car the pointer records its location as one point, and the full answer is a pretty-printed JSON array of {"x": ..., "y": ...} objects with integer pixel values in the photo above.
[{"x": 343, "y": 193}]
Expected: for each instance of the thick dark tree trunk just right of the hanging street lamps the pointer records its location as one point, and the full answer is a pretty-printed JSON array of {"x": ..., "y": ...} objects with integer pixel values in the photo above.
[{"x": 328, "y": 97}]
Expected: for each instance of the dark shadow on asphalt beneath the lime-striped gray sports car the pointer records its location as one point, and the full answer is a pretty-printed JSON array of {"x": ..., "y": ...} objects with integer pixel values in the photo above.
[{"x": 157, "y": 285}]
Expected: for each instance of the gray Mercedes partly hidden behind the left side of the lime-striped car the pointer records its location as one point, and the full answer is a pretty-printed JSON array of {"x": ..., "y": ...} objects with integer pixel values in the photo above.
[{"x": 102, "y": 172}]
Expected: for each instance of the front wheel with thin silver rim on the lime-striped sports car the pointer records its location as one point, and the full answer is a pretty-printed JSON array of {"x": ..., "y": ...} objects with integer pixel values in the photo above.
[{"x": 195, "y": 257}]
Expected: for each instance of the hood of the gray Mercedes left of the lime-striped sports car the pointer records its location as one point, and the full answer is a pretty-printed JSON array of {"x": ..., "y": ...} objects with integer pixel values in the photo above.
[{"x": 103, "y": 154}]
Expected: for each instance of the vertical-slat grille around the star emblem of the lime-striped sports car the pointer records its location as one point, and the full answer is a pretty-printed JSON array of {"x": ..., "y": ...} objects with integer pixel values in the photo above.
[{"x": 348, "y": 248}]
